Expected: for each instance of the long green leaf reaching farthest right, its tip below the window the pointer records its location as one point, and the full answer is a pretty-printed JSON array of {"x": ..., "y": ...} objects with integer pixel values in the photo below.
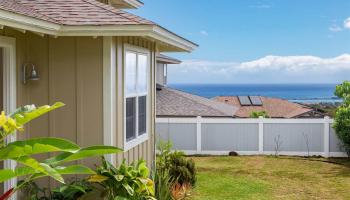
[{"x": 82, "y": 154}]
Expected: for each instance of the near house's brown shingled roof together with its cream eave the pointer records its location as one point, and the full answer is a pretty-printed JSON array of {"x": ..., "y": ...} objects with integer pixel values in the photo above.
[{"x": 85, "y": 18}]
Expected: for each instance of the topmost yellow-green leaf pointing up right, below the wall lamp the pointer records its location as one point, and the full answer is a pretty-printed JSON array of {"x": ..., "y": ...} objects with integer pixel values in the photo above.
[{"x": 24, "y": 115}]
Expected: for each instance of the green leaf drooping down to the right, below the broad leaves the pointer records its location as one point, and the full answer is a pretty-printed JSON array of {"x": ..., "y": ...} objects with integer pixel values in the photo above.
[{"x": 40, "y": 167}]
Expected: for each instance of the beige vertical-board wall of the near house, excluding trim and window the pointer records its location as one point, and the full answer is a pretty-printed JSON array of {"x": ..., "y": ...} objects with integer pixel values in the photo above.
[{"x": 71, "y": 71}]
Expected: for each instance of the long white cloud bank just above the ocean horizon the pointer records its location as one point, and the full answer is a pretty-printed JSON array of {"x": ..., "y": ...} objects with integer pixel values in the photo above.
[{"x": 269, "y": 69}]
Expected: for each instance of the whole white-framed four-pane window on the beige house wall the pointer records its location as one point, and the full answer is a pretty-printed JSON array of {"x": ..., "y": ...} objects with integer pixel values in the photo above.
[{"x": 137, "y": 80}]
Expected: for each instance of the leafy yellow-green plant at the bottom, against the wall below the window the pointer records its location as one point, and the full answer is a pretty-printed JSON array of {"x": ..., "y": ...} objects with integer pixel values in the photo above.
[{"x": 126, "y": 182}]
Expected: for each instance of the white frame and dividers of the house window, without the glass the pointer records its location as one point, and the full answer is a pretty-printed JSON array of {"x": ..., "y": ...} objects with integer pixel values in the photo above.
[{"x": 144, "y": 137}]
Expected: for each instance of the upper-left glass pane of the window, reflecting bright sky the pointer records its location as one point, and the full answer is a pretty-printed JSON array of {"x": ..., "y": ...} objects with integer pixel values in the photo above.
[{"x": 130, "y": 75}]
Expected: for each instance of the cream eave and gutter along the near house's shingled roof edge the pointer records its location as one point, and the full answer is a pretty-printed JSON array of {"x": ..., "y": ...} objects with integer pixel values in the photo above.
[{"x": 167, "y": 41}]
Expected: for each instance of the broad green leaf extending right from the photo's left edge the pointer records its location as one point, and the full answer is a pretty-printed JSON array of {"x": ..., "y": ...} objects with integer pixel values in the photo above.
[{"x": 37, "y": 146}]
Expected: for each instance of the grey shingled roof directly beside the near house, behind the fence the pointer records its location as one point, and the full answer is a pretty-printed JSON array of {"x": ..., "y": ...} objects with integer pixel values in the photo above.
[{"x": 175, "y": 103}]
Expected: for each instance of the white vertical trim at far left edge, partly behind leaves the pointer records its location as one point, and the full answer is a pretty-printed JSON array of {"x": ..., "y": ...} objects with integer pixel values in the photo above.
[{"x": 10, "y": 93}]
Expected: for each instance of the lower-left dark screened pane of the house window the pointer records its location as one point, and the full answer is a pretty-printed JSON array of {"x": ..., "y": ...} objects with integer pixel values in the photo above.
[{"x": 130, "y": 118}]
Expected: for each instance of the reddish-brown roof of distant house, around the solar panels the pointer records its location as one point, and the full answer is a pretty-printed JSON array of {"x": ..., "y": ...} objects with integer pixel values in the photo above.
[{"x": 274, "y": 107}]
